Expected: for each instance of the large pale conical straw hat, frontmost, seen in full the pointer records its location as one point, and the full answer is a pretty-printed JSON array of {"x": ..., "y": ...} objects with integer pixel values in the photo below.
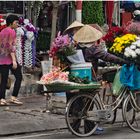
[{"x": 87, "y": 34}]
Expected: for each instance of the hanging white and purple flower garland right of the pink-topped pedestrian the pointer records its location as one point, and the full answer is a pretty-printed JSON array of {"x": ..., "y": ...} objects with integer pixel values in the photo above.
[{"x": 28, "y": 42}]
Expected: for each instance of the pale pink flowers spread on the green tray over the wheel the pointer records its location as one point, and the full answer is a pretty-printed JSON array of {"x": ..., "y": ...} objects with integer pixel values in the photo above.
[{"x": 55, "y": 74}]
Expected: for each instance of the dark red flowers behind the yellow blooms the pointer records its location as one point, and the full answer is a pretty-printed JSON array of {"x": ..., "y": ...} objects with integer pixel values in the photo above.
[{"x": 112, "y": 34}]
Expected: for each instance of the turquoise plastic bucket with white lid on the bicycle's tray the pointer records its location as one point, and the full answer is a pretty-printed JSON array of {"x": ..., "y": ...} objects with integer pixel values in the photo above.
[{"x": 82, "y": 70}]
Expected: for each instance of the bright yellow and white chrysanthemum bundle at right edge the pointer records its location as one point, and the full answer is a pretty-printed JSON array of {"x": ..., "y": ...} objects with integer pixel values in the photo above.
[{"x": 127, "y": 47}]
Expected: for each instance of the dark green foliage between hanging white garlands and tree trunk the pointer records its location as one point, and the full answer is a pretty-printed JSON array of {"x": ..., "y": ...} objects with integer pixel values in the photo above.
[{"x": 43, "y": 41}]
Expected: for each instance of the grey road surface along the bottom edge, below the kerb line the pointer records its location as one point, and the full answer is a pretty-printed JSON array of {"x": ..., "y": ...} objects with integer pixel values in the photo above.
[{"x": 115, "y": 132}]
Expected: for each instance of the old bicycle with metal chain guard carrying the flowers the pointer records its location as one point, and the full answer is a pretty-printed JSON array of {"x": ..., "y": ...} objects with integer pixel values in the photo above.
[{"x": 92, "y": 111}]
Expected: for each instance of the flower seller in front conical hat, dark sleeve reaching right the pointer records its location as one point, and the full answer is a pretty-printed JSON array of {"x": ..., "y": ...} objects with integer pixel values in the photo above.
[{"x": 86, "y": 37}]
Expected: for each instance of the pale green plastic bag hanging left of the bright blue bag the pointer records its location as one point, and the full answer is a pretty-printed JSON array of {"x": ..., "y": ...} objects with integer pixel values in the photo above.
[{"x": 117, "y": 85}]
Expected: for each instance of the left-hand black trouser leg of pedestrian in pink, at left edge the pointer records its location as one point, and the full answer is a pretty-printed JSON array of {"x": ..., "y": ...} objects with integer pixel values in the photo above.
[{"x": 4, "y": 70}]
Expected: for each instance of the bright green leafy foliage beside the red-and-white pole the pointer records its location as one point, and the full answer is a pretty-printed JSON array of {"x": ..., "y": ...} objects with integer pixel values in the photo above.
[{"x": 92, "y": 12}]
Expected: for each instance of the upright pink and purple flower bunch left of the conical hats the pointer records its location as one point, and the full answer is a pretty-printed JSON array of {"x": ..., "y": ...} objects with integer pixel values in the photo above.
[{"x": 59, "y": 42}]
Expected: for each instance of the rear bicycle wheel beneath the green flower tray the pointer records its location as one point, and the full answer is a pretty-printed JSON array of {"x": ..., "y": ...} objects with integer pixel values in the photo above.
[{"x": 77, "y": 118}]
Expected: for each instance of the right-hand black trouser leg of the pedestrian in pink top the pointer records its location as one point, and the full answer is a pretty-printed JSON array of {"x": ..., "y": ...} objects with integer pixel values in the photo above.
[{"x": 18, "y": 79}]
